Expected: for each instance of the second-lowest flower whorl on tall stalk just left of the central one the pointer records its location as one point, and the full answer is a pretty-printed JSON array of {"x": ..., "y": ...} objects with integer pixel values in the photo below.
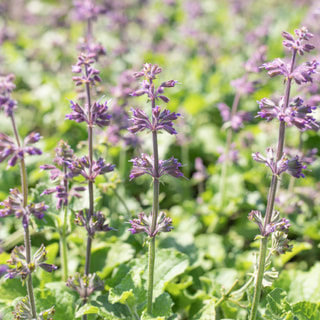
[{"x": 92, "y": 223}]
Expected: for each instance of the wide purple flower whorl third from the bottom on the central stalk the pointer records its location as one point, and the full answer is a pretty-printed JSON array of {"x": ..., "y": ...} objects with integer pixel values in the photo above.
[{"x": 161, "y": 120}]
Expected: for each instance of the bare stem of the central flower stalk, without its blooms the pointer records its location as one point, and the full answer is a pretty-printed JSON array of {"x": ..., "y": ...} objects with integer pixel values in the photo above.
[{"x": 155, "y": 212}]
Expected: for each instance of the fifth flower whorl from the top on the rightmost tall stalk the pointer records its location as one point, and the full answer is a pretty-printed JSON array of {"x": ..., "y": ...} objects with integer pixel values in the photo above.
[{"x": 276, "y": 224}]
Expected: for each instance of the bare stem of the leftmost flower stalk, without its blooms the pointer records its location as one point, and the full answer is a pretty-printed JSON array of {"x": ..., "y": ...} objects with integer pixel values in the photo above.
[{"x": 27, "y": 238}]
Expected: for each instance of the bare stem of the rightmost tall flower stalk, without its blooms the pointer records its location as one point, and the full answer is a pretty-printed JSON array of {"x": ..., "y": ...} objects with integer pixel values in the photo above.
[{"x": 270, "y": 203}]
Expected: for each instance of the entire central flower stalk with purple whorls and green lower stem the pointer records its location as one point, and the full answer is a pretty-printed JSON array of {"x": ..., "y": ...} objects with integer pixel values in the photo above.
[{"x": 161, "y": 120}]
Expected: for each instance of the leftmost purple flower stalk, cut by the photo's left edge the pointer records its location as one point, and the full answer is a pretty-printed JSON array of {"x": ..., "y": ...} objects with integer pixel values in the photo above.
[{"x": 17, "y": 203}]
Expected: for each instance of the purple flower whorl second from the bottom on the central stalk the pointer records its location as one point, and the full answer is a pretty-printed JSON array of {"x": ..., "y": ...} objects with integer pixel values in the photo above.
[{"x": 145, "y": 165}]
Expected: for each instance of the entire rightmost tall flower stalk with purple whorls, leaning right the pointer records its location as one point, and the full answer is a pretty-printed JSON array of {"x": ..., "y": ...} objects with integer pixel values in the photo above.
[{"x": 289, "y": 113}]
